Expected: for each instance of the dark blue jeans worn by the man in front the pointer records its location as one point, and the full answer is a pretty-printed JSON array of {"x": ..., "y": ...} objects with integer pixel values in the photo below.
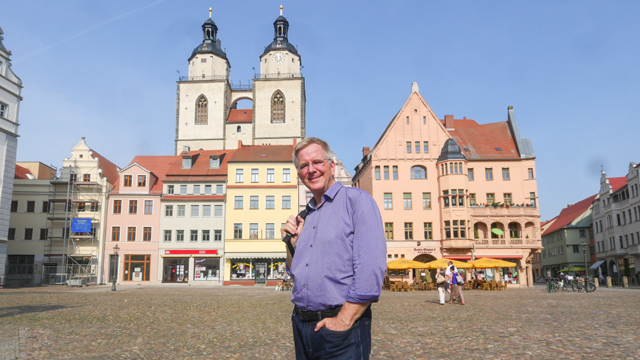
[{"x": 354, "y": 343}]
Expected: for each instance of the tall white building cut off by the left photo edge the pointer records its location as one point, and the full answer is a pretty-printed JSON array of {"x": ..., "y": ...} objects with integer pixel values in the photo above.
[{"x": 10, "y": 89}]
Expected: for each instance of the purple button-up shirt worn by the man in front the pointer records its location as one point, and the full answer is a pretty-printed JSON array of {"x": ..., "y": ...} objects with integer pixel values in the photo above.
[{"x": 341, "y": 252}]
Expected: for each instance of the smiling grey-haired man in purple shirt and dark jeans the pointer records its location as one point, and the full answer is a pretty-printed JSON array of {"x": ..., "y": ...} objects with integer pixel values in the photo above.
[{"x": 339, "y": 262}]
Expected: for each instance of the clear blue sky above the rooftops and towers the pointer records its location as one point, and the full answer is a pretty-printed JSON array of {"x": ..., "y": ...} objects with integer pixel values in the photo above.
[{"x": 107, "y": 70}]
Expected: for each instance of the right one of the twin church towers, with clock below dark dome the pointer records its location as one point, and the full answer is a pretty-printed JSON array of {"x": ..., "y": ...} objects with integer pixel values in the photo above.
[{"x": 279, "y": 97}]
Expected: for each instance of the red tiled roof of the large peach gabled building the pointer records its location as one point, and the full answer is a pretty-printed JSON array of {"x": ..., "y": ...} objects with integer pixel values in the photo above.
[{"x": 482, "y": 140}]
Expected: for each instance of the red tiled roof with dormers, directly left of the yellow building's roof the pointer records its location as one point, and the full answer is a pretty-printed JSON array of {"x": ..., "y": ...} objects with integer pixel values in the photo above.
[{"x": 200, "y": 163}]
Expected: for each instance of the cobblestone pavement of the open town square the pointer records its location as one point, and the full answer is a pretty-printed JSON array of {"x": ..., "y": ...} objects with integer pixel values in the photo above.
[{"x": 165, "y": 322}]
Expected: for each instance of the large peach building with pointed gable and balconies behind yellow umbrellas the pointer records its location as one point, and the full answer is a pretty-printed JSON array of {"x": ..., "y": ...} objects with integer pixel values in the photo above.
[{"x": 454, "y": 188}]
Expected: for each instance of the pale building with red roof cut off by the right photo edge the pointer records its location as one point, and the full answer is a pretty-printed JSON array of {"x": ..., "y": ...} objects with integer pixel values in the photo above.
[{"x": 616, "y": 225}]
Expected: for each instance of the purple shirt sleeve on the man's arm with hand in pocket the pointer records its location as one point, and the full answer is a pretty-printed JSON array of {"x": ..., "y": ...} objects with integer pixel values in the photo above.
[{"x": 369, "y": 251}]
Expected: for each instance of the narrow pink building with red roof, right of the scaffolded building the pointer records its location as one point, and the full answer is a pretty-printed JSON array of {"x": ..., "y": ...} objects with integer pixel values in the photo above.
[{"x": 133, "y": 221}]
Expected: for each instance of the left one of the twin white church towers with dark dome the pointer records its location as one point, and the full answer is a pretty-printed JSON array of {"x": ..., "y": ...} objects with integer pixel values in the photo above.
[{"x": 203, "y": 96}]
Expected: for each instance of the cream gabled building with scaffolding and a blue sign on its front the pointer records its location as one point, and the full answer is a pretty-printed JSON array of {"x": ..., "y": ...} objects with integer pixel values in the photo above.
[{"x": 73, "y": 254}]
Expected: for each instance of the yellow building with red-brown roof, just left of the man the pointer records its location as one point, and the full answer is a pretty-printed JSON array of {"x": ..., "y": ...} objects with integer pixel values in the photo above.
[{"x": 262, "y": 192}]
